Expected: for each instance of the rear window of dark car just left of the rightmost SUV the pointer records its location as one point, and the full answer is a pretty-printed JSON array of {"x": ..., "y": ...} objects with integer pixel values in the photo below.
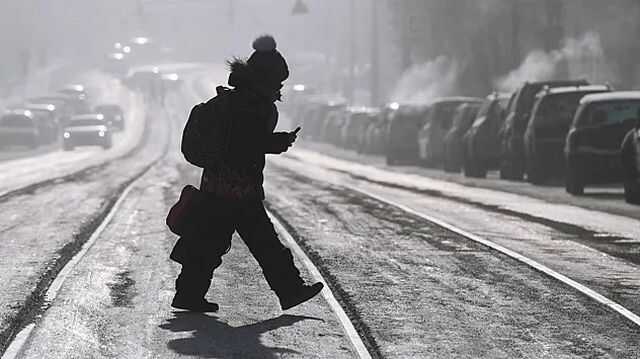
[{"x": 558, "y": 109}]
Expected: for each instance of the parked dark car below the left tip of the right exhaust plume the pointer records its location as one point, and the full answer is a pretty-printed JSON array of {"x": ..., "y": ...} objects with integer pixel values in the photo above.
[{"x": 481, "y": 140}]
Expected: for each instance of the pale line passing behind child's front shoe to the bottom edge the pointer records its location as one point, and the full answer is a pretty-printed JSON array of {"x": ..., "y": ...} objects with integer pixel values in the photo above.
[{"x": 350, "y": 330}]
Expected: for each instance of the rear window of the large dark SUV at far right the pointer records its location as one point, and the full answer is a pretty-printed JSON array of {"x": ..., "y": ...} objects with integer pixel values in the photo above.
[{"x": 610, "y": 113}]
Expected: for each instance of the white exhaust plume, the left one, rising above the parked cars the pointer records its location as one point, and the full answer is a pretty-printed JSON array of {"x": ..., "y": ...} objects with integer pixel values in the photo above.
[{"x": 424, "y": 82}]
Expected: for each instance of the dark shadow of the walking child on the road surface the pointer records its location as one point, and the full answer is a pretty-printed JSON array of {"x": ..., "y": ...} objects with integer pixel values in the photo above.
[{"x": 213, "y": 338}]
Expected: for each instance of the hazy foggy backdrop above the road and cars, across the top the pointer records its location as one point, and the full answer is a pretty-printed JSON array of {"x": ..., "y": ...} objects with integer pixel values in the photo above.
[{"x": 410, "y": 51}]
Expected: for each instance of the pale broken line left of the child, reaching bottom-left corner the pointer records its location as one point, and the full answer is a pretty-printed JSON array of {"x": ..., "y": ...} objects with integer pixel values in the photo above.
[{"x": 17, "y": 345}]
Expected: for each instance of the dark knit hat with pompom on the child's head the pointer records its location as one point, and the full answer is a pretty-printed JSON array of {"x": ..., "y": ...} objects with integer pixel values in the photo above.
[{"x": 266, "y": 62}]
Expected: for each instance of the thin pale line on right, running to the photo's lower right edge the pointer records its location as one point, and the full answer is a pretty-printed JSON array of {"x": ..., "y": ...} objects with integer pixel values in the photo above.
[{"x": 515, "y": 255}]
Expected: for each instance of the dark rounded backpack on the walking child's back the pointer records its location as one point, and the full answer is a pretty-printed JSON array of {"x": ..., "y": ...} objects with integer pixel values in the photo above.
[{"x": 206, "y": 135}]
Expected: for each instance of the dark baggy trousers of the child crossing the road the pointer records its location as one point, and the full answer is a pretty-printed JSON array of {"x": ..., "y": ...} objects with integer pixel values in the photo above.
[{"x": 201, "y": 248}]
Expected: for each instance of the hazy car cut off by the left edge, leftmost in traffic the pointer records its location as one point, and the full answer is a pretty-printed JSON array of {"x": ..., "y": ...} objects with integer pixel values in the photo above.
[{"x": 19, "y": 128}]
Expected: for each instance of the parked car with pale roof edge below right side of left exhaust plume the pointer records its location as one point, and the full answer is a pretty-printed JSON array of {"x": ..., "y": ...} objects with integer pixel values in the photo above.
[{"x": 431, "y": 135}]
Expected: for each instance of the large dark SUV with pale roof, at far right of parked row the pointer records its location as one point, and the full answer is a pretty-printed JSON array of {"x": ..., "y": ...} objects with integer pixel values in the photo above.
[{"x": 592, "y": 148}]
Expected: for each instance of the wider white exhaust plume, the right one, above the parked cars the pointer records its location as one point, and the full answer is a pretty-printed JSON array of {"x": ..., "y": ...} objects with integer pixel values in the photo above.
[{"x": 583, "y": 57}]
